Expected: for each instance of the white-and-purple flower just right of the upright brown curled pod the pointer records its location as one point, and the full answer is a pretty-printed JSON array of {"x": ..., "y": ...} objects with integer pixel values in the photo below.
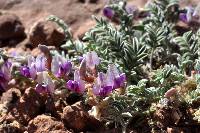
[{"x": 60, "y": 66}]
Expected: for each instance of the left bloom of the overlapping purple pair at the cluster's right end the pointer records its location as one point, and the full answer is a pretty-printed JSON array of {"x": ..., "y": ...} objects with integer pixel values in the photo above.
[{"x": 102, "y": 86}]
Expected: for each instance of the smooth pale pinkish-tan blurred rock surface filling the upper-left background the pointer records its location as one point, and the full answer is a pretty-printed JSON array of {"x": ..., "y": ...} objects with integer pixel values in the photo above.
[{"x": 73, "y": 12}]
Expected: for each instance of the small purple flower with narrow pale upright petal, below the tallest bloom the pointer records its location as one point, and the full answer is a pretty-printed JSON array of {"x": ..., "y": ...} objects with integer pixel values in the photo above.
[{"x": 77, "y": 85}]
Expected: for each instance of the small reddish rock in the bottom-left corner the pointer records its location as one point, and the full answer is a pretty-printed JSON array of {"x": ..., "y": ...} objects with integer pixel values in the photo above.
[{"x": 13, "y": 127}]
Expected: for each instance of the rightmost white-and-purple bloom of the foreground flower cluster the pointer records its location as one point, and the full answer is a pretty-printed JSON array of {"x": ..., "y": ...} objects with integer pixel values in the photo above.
[{"x": 117, "y": 79}]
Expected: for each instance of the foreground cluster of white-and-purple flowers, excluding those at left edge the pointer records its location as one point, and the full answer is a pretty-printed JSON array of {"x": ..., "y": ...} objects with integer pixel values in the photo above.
[{"x": 103, "y": 84}]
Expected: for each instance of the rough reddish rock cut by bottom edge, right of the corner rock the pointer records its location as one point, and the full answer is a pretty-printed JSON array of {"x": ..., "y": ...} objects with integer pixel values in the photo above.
[{"x": 43, "y": 123}]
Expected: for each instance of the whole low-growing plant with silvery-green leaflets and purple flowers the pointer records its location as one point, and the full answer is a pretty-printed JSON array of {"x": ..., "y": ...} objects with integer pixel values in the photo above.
[{"x": 131, "y": 61}]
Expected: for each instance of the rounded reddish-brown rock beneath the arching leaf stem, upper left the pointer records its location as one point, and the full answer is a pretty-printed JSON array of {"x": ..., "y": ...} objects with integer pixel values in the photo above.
[{"x": 46, "y": 33}]
